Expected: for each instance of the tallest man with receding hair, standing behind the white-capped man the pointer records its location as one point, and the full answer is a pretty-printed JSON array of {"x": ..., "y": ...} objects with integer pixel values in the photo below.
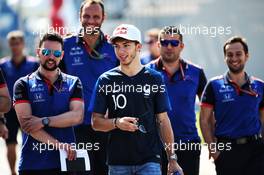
[{"x": 87, "y": 56}]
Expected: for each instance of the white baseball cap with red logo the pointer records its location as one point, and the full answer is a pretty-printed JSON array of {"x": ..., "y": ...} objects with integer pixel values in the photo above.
[{"x": 126, "y": 31}]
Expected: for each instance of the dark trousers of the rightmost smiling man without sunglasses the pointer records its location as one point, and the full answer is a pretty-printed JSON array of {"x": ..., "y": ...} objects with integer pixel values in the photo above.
[{"x": 242, "y": 159}]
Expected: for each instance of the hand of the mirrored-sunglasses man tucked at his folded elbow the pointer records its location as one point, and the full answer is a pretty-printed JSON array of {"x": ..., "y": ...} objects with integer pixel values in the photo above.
[{"x": 31, "y": 124}]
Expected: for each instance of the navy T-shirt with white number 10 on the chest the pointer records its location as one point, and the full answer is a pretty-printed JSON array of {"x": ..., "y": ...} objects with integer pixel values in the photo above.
[{"x": 141, "y": 96}]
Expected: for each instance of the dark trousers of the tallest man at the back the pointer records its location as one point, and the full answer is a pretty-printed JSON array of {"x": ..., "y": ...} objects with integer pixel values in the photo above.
[{"x": 95, "y": 143}]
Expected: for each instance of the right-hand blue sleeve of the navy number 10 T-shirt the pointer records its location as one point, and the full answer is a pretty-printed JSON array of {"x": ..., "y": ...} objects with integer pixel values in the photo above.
[{"x": 161, "y": 99}]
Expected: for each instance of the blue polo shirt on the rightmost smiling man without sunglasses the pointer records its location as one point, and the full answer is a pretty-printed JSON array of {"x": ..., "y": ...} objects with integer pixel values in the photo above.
[{"x": 236, "y": 109}]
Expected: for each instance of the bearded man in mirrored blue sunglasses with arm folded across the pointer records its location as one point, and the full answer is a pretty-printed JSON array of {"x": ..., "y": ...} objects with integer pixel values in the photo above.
[{"x": 48, "y": 104}]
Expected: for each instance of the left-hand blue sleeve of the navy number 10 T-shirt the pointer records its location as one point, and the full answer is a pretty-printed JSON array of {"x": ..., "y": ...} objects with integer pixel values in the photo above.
[{"x": 98, "y": 101}]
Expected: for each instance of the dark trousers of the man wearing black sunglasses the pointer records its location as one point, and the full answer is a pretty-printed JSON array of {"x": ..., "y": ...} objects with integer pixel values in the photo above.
[{"x": 189, "y": 160}]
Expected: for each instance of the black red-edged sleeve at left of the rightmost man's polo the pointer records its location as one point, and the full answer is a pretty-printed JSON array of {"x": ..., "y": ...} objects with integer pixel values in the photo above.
[{"x": 208, "y": 97}]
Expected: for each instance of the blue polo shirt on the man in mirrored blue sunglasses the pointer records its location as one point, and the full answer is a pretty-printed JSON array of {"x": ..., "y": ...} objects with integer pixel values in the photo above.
[{"x": 46, "y": 100}]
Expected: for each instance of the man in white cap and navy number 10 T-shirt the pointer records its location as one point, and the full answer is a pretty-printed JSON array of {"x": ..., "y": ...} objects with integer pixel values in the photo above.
[{"x": 135, "y": 118}]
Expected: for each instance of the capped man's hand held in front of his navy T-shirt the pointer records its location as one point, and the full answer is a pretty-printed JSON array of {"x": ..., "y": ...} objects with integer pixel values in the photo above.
[{"x": 127, "y": 124}]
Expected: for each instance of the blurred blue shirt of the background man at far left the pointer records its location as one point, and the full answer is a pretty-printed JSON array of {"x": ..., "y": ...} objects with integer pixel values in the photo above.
[{"x": 13, "y": 72}]
